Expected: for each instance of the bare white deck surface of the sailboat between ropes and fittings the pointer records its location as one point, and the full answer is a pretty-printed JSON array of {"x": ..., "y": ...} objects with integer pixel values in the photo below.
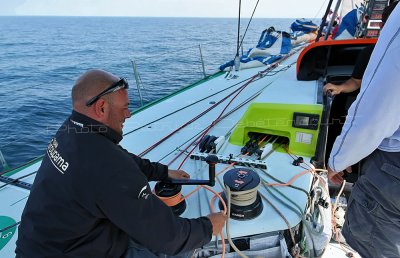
[{"x": 279, "y": 88}]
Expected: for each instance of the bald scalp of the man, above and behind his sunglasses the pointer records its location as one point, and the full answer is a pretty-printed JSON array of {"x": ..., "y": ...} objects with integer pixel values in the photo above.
[{"x": 89, "y": 85}]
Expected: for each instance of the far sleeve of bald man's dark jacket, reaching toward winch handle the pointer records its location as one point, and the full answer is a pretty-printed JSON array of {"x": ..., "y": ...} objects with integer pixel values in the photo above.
[{"x": 154, "y": 171}]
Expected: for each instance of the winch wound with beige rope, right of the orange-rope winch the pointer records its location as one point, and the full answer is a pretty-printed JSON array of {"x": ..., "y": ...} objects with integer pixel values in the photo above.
[{"x": 245, "y": 200}]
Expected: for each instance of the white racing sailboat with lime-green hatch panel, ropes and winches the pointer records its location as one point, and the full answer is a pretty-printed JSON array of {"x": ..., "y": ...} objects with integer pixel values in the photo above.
[{"x": 255, "y": 143}]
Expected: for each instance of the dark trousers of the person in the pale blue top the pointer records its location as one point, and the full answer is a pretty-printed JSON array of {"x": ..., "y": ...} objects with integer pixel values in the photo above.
[{"x": 372, "y": 225}]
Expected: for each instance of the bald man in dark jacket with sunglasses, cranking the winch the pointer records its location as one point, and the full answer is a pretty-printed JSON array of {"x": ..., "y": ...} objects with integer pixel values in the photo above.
[{"x": 91, "y": 197}]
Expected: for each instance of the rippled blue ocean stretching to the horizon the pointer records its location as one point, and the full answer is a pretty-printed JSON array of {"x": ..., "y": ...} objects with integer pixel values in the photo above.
[{"x": 41, "y": 57}]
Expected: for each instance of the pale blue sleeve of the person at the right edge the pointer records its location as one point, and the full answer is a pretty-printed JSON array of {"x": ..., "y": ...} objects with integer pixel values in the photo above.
[{"x": 373, "y": 116}]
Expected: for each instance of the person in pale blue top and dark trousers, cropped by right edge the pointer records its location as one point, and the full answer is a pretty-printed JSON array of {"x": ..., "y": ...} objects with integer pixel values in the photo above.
[{"x": 372, "y": 130}]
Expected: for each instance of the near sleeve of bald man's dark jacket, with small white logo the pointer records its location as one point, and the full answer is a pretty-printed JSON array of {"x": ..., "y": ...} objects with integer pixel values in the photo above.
[{"x": 146, "y": 219}]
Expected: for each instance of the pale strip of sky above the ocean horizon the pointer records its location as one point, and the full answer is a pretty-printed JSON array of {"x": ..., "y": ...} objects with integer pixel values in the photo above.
[{"x": 165, "y": 8}]
